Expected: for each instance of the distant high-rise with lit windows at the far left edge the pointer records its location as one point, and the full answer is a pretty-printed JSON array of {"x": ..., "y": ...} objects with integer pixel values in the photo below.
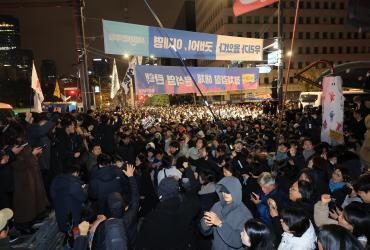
[{"x": 9, "y": 39}]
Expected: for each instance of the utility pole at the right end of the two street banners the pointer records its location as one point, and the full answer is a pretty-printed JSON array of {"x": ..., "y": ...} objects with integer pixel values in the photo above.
[{"x": 280, "y": 60}]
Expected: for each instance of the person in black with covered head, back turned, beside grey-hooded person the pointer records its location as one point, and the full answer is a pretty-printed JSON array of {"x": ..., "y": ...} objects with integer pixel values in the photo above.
[{"x": 168, "y": 225}]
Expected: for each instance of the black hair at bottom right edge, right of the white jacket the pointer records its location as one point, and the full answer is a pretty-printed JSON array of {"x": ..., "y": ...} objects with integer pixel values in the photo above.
[{"x": 334, "y": 237}]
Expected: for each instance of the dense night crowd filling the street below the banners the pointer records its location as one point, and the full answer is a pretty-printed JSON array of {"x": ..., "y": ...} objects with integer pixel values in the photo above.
[{"x": 173, "y": 178}]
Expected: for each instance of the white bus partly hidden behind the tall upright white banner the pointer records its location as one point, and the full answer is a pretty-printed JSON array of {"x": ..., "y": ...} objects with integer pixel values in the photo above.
[{"x": 314, "y": 99}]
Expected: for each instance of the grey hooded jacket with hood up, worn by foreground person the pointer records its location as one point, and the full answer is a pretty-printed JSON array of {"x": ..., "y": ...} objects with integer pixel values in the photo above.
[{"x": 233, "y": 217}]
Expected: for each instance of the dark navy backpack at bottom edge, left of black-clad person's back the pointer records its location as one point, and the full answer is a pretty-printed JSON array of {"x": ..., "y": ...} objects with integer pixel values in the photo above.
[{"x": 115, "y": 235}]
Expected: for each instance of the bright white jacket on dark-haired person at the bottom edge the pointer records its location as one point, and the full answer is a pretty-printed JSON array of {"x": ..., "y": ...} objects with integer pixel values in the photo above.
[{"x": 305, "y": 242}]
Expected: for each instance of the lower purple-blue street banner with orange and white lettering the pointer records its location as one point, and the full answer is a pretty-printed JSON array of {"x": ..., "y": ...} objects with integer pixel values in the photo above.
[{"x": 150, "y": 80}]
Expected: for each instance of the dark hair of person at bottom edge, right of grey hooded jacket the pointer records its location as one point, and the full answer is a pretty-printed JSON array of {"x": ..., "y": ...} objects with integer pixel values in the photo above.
[{"x": 259, "y": 234}]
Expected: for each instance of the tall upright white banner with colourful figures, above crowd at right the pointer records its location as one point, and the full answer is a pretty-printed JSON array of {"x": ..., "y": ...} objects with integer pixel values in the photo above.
[{"x": 332, "y": 110}]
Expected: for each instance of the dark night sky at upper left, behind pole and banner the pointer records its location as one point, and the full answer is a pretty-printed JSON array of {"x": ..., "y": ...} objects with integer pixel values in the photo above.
[{"x": 49, "y": 32}]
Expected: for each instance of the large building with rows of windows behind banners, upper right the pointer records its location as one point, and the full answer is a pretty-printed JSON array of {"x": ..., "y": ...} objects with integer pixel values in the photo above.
[{"x": 321, "y": 33}]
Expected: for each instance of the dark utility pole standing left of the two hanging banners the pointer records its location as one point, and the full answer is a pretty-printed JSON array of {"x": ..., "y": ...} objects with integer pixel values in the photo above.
[{"x": 78, "y": 6}]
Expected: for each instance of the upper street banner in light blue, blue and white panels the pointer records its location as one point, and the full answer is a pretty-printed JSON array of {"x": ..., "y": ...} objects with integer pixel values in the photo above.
[{"x": 139, "y": 40}]
